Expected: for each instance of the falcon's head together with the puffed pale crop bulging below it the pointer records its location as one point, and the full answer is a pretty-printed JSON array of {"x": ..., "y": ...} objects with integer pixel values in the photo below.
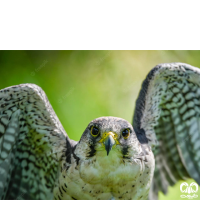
[{"x": 108, "y": 152}]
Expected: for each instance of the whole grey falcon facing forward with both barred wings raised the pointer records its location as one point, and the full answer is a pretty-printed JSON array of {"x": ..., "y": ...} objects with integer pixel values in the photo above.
[{"x": 113, "y": 160}]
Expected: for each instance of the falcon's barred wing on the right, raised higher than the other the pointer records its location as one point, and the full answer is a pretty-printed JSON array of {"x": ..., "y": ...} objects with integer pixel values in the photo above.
[{"x": 167, "y": 116}]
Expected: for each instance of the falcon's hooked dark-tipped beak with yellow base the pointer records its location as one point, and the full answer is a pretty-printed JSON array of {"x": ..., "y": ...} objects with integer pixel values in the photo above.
[{"x": 109, "y": 139}]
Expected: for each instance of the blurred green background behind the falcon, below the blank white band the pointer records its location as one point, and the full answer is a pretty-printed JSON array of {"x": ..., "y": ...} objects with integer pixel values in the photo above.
[{"x": 83, "y": 85}]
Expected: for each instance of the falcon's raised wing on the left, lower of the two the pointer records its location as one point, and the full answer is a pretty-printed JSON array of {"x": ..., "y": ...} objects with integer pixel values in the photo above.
[{"x": 32, "y": 142}]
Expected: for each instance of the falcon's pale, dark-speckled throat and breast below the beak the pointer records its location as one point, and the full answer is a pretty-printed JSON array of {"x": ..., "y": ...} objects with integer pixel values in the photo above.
[{"x": 104, "y": 177}]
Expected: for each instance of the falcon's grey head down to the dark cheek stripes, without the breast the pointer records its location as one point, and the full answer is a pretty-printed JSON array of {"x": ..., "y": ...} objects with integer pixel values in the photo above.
[{"x": 106, "y": 136}]
